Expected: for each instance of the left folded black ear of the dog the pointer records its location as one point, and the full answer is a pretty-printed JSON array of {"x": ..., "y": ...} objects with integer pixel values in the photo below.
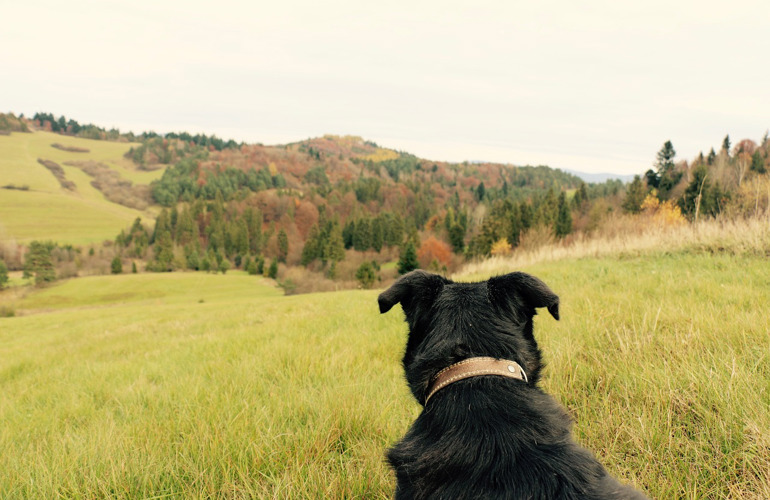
[{"x": 416, "y": 290}]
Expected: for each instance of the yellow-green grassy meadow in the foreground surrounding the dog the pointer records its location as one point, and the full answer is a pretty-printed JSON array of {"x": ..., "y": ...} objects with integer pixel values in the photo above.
[{"x": 209, "y": 386}]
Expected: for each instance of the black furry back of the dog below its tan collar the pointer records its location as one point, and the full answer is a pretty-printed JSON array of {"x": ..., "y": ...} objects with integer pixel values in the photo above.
[{"x": 490, "y": 437}]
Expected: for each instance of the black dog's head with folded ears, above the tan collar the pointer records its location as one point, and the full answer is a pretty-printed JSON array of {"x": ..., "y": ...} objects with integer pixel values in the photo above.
[{"x": 451, "y": 321}]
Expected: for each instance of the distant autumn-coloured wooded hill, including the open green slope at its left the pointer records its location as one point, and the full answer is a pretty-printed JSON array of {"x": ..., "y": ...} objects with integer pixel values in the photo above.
[{"x": 217, "y": 204}]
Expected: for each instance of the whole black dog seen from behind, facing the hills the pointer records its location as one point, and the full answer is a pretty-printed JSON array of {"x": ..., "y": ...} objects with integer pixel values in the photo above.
[{"x": 486, "y": 436}]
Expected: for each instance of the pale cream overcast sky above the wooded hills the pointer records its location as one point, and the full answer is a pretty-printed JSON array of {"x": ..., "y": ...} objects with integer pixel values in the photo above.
[{"x": 593, "y": 86}]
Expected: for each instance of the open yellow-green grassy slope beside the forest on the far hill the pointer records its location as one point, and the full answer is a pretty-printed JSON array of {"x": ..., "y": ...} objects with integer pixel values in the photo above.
[{"x": 48, "y": 212}]
